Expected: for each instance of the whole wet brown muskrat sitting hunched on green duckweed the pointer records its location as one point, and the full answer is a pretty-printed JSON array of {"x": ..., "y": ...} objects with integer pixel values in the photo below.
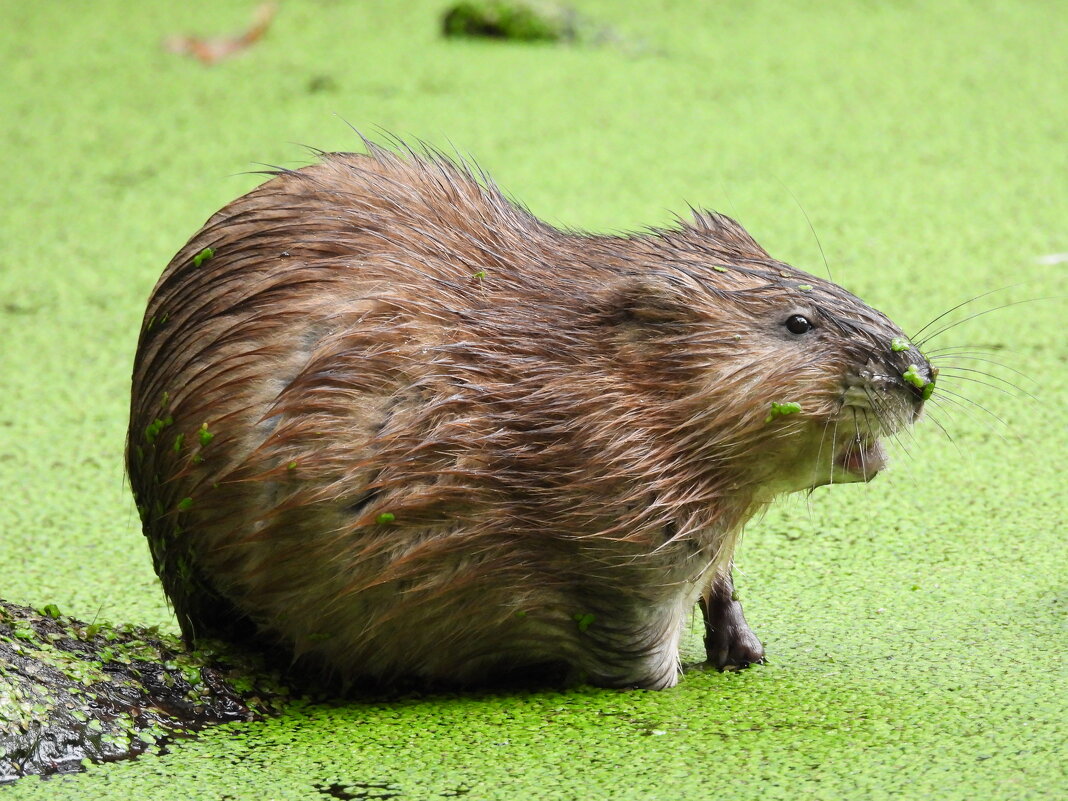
[{"x": 387, "y": 423}]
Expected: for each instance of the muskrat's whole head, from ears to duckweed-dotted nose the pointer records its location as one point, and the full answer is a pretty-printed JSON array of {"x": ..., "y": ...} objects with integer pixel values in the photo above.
[{"x": 802, "y": 382}]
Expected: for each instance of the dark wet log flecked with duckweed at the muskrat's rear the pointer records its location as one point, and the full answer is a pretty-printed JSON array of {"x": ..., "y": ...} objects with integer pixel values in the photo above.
[{"x": 73, "y": 694}]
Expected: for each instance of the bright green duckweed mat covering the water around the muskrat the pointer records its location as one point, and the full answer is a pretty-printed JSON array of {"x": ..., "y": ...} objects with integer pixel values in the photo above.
[{"x": 916, "y": 627}]
